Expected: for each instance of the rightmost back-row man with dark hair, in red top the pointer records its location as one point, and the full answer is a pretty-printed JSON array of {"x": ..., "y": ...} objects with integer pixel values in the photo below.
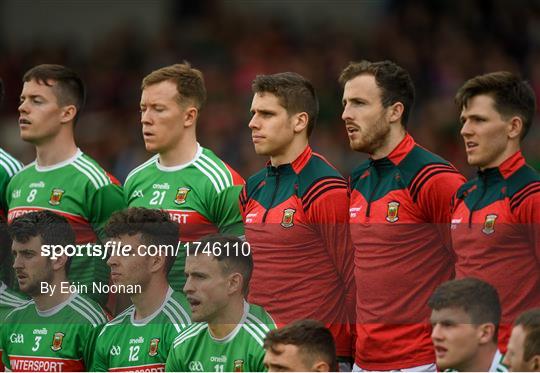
[{"x": 496, "y": 216}]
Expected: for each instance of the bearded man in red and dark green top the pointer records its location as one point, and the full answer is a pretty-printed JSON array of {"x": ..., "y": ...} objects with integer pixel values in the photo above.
[{"x": 399, "y": 220}]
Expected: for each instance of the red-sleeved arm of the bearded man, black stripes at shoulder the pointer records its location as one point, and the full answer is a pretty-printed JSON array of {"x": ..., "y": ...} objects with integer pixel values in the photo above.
[{"x": 433, "y": 189}]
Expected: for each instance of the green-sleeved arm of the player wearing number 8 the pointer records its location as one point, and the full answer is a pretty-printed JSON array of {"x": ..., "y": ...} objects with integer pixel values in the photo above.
[{"x": 102, "y": 202}]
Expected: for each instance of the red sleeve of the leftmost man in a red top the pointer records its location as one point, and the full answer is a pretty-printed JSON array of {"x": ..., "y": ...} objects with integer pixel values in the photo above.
[{"x": 326, "y": 205}]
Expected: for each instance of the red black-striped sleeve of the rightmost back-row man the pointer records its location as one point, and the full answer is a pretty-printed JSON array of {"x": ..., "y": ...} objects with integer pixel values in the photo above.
[{"x": 525, "y": 204}]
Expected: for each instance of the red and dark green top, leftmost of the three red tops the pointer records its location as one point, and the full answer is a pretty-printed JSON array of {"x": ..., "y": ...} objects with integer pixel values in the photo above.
[{"x": 296, "y": 222}]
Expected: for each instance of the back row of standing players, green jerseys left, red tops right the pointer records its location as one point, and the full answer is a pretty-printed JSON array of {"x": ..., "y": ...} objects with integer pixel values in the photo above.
[{"x": 401, "y": 193}]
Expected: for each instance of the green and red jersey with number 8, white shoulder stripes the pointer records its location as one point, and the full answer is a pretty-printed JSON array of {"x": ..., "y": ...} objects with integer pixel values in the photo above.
[{"x": 81, "y": 191}]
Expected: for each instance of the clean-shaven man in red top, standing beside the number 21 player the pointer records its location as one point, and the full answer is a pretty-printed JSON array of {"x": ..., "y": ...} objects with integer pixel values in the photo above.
[{"x": 295, "y": 214}]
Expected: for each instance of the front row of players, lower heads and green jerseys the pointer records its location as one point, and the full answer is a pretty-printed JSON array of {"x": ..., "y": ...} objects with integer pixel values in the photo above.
[{"x": 64, "y": 330}]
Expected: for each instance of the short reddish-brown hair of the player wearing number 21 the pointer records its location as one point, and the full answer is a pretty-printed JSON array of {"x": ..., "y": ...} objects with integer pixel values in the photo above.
[{"x": 189, "y": 82}]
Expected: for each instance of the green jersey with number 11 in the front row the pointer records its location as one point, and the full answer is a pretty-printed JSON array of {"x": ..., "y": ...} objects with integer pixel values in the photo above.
[{"x": 197, "y": 350}]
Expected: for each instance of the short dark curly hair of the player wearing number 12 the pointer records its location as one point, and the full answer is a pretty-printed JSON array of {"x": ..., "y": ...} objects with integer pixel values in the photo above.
[{"x": 155, "y": 227}]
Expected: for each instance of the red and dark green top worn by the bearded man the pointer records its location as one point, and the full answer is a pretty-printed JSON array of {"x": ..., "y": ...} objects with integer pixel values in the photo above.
[{"x": 399, "y": 222}]
